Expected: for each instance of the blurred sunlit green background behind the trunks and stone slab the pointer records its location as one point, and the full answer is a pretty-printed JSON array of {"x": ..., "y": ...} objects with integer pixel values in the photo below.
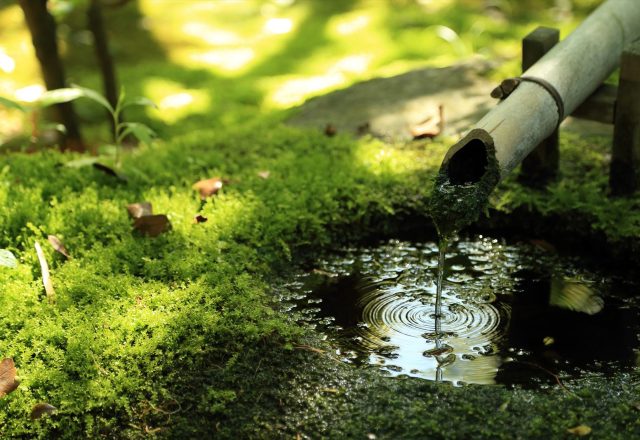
[{"x": 212, "y": 63}]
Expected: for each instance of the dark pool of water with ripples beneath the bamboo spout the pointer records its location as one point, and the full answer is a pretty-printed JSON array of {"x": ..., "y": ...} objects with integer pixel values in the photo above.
[{"x": 512, "y": 313}]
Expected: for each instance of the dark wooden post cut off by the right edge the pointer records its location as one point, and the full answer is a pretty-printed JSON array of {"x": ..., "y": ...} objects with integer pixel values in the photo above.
[{"x": 624, "y": 176}]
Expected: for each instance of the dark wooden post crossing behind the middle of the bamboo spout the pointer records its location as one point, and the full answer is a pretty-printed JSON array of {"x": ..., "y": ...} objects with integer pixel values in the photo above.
[{"x": 541, "y": 165}]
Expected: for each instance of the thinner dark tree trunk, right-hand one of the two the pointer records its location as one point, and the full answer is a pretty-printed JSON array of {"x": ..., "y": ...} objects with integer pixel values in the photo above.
[{"x": 103, "y": 55}]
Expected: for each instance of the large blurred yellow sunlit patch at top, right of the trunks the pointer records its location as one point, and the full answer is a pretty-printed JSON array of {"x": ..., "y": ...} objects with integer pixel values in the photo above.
[{"x": 226, "y": 37}]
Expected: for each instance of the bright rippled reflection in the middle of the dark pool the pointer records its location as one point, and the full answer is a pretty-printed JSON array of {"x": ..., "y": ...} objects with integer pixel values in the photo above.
[{"x": 400, "y": 329}]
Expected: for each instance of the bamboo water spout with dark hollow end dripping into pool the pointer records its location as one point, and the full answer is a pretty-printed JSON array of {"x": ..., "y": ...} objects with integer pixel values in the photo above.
[{"x": 547, "y": 92}]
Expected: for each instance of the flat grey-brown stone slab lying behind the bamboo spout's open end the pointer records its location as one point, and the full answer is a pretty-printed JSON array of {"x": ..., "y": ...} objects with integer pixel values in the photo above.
[{"x": 390, "y": 107}]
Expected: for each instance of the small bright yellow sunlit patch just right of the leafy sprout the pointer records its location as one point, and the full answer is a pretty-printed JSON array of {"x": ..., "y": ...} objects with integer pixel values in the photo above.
[{"x": 174, "y": 100}]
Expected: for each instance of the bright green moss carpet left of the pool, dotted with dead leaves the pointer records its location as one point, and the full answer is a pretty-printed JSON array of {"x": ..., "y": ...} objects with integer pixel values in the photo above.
[{"x": 142, "y": 327}]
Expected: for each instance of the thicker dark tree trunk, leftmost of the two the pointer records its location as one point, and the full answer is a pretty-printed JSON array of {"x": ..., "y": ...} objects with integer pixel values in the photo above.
[{"x": 42, "y": 27}]
